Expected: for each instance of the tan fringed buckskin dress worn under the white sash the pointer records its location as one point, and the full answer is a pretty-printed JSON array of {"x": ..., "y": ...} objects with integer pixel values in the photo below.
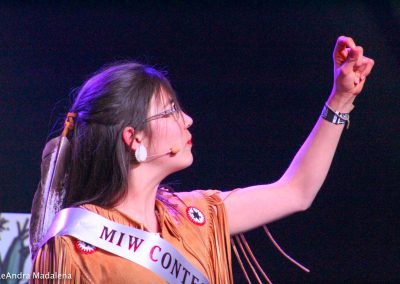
[{"x": 206, "y": 246}]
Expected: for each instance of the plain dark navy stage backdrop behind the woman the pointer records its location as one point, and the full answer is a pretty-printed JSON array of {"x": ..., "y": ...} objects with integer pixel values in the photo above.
[{"x": 254, "y": 78}]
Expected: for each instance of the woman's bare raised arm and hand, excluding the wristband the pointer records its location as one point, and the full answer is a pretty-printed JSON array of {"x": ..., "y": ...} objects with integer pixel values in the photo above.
[{"x": 253, "y": 206}]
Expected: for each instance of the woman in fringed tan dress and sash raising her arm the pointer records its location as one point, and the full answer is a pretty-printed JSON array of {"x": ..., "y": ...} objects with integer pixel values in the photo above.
[{"x": 129, "y": 133}]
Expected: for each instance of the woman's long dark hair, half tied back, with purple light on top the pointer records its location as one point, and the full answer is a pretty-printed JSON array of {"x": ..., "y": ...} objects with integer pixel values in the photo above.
[{"x": 114, "y": 98}]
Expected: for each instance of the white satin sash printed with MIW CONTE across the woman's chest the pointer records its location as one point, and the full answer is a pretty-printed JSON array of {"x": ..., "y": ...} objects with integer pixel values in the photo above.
[{"x": 146, "y": 249}]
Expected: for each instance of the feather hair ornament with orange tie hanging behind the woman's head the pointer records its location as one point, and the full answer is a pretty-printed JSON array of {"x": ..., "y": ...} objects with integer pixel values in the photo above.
[{"x": 49, "y": 196}]
